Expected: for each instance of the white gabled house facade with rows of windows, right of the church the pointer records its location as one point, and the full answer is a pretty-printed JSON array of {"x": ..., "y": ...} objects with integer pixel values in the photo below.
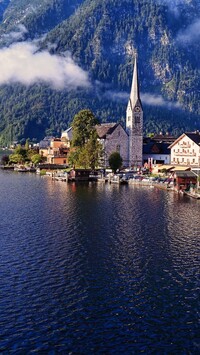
[{"x": 185, "y": 150}]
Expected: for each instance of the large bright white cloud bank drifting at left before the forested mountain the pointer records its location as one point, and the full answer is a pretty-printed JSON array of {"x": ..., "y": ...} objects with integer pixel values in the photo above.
[{"x": 23, "y": 63}]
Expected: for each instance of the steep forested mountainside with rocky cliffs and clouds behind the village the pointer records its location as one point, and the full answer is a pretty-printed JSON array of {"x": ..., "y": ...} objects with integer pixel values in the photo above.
[{"x": 68, "y": 55}]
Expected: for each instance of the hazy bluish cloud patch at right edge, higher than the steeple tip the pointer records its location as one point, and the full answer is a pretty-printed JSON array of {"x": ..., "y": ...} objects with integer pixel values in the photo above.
[{"x": 191, "y": 34}]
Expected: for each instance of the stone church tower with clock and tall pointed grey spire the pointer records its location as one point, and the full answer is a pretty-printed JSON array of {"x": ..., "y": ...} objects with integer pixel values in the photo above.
[{"x": 134, "y": 122}]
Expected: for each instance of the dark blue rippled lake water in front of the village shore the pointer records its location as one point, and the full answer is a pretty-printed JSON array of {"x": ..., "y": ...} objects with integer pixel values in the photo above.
[{"x": 97, "y": 269}]
